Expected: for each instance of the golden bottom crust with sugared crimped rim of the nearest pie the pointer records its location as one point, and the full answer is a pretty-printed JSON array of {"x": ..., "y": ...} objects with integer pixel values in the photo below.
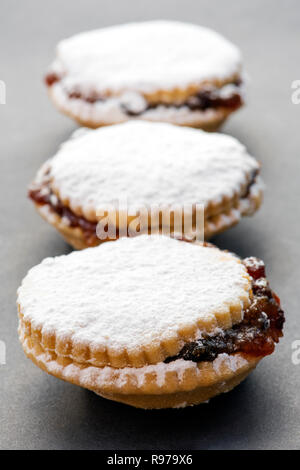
[{"x": 149, "y": 386}]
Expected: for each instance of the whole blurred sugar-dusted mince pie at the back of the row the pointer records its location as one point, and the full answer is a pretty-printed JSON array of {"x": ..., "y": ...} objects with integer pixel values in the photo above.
[{"x": 98, "y": 84}]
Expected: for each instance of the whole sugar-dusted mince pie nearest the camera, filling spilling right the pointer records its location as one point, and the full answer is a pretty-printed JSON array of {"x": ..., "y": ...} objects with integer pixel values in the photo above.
[{"x": 76, "y": 320}]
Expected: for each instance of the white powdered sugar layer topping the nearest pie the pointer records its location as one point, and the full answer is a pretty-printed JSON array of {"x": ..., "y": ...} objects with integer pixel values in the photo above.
[{"x": 132, "y": 292}]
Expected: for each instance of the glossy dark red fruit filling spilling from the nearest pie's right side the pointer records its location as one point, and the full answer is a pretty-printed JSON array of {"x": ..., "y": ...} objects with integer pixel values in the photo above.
[{"x": 255, "y": 336}]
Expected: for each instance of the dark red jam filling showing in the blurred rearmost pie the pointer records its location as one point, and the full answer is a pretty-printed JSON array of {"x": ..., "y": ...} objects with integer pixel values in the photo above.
[{"x": 203, "y": 100}]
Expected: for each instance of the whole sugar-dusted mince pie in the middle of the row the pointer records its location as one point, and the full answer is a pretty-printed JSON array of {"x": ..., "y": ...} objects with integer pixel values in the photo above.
[{"x": 219, "y": 174}]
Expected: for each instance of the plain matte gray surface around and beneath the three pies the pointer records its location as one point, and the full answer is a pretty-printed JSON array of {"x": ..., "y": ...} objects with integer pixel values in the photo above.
[{"x": 40, "y": 412}]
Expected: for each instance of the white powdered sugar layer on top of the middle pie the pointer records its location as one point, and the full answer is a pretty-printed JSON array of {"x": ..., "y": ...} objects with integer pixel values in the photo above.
[{"x": 150, "y": 164}]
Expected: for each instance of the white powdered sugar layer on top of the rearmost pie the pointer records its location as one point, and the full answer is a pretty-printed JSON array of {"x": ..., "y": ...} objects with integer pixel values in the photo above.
[{"x": 145, "y": 57}]
